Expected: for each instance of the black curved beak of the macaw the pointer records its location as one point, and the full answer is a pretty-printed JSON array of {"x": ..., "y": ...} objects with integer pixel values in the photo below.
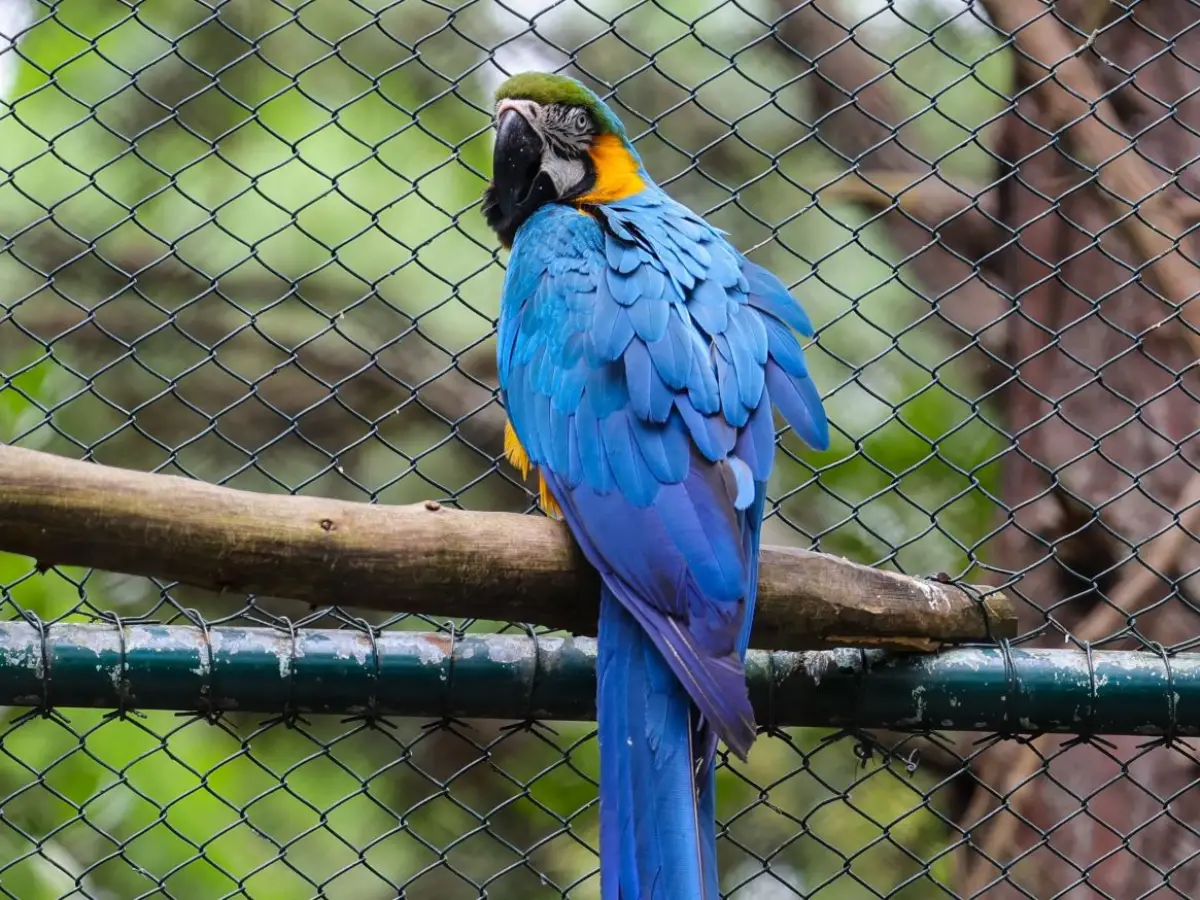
[{"x": 519, "y": 185}]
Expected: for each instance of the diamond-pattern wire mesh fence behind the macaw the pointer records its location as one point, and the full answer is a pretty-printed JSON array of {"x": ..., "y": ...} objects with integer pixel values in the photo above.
[{"x": 243, "y": 245}]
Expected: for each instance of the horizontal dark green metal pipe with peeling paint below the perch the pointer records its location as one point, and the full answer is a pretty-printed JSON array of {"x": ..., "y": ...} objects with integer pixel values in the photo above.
[{"x": 349, "y": 673}]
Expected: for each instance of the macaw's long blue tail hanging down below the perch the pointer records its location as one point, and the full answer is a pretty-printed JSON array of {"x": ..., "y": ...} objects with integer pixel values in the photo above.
[{"x": 658, "y": 785}]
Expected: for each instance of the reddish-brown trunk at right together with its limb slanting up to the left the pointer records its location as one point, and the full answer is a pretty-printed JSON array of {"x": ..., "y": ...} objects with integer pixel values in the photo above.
[{"x": 1099, "y": 397}]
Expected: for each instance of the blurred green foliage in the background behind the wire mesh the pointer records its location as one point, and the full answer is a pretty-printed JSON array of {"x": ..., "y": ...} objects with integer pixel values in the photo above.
[{"x": 242, "y": 243}]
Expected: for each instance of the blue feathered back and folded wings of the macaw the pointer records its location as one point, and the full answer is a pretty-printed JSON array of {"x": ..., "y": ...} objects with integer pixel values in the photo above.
[{"x": 640, "y": 356}]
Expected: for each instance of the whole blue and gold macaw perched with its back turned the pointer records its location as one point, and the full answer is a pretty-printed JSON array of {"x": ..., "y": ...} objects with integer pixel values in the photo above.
[{"x": 640, "y": 356}]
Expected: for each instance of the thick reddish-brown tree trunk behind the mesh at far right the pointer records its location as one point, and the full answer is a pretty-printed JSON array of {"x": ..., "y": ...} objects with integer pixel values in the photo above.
[{"x": 1103, "y": 411}]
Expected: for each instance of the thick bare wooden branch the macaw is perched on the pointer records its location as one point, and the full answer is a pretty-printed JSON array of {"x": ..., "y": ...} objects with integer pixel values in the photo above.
[{"x": 429, "y": 560}]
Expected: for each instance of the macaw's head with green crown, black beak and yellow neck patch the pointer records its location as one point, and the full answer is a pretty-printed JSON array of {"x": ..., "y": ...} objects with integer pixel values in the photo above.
[{"x": 556, "y": 142}]
